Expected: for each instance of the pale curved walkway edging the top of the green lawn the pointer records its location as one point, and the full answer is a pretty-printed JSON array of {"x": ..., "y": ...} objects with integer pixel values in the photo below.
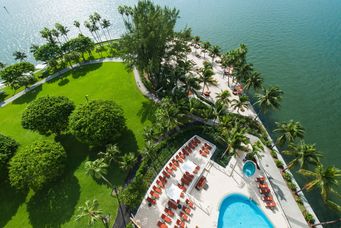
[{"x": 139, "y": 83}]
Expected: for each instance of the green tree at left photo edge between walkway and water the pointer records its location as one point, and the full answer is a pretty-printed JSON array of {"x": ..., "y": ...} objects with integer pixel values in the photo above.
[{"x": 14, "y": 75}]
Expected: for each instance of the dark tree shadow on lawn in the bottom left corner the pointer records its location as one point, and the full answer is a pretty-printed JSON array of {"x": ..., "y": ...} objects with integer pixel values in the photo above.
[{"x": 11, "y": 200}]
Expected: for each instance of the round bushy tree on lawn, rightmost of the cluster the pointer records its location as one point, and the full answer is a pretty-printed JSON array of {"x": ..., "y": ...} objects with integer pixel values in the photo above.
[{"x": 97, "y": 122}]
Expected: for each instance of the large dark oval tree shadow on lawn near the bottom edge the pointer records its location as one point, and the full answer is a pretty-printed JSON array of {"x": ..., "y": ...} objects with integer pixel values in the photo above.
[{"x": 54, "y": 205}]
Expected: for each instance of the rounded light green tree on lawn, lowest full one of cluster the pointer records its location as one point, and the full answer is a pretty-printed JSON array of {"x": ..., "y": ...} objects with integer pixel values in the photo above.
[{"x": 37, "y": 165}]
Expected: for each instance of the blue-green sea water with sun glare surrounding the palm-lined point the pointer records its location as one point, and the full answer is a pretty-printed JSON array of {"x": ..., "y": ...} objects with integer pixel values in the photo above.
[{"x": 294, "y": 44}]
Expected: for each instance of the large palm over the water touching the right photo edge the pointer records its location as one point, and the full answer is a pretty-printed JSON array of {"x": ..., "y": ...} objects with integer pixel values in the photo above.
[{"x": 326, "y": 179}]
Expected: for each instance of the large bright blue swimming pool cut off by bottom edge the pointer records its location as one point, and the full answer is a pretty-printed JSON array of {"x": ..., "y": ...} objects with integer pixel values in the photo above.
[{"x": 238, "y": 211}]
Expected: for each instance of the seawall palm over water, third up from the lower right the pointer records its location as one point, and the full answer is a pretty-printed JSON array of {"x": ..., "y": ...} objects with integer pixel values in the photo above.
[{"x": 288, "y": 132}]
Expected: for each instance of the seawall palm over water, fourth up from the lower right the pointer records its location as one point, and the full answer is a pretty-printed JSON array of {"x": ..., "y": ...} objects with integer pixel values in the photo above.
[{"x": 269, "y": 99}]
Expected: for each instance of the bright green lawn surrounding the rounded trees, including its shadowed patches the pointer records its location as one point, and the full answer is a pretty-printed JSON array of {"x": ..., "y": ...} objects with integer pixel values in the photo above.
[{"x": 57, "y": 206}]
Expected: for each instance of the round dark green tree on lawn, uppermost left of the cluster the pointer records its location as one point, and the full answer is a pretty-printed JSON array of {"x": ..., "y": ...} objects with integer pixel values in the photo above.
[{"x": 48, "y": 115}]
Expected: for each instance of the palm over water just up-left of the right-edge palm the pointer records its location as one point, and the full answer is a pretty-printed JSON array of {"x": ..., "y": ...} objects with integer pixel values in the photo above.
[{"x": 304, "y": 154}]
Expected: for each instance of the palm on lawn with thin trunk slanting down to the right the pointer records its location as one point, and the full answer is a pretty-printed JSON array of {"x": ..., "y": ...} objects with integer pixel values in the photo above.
[{"x": 97, "y": 169}]
